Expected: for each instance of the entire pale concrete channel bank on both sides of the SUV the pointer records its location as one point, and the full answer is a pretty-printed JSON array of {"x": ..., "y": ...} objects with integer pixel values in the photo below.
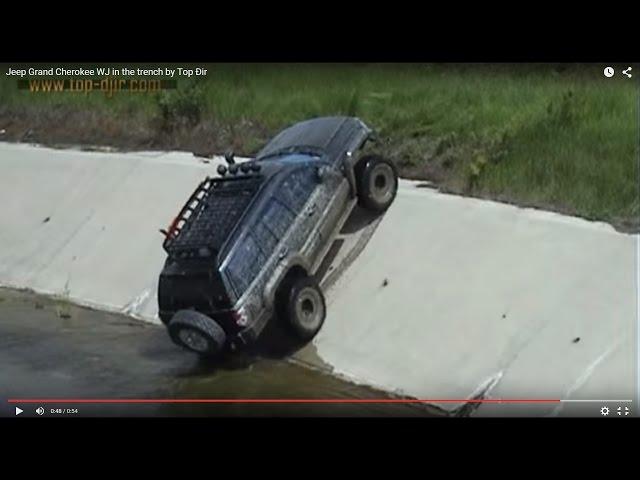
[{"x": 444, "y": 298}]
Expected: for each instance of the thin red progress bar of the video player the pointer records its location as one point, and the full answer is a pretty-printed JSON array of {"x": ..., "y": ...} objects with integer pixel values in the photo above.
[{"x": 278, "y": 400}]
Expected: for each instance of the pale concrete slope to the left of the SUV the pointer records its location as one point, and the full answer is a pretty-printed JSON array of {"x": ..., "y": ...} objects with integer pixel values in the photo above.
[{"x": 85, "y": 225}]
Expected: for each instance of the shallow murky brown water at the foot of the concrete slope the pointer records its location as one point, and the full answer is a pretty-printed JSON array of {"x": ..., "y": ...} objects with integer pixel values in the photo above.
[{"x": 50, "y": 349}]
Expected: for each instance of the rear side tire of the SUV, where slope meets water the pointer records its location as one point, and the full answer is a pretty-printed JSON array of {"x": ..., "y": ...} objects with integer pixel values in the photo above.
[{"x": 303, "y": 307}]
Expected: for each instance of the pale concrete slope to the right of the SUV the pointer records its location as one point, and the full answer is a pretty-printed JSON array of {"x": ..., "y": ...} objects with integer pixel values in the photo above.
[{"x": 483, "y": 298}]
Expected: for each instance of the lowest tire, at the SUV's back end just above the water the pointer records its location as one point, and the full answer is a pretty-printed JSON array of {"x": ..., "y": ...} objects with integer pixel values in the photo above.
[{"x": 197, "y": 332}]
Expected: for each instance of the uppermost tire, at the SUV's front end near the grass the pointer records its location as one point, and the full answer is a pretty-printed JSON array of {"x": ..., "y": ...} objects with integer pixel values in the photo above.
[{"x": 377, "y": 183}]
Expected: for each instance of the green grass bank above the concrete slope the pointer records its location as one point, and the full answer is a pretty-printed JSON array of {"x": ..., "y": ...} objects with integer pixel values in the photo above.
[{"x": 562, "y": 138}]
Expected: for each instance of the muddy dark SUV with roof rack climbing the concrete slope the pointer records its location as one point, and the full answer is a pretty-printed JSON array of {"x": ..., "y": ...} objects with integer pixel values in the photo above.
[{"x": 249, "y": 242}]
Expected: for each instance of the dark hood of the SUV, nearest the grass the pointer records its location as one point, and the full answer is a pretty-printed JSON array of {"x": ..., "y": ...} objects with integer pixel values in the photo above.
[{"x": 328, "y": 134}]
